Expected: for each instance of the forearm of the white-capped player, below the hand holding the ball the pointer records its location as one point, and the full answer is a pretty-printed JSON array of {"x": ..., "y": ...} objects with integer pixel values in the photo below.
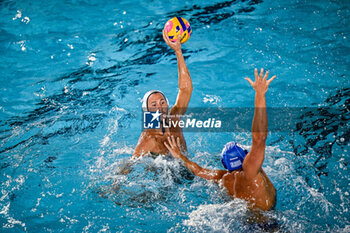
[{"x": 185, "y": 82}]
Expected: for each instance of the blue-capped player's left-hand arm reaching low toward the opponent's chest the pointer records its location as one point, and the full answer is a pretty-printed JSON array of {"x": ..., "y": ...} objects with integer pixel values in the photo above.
[{"x": 174, "y": 148}]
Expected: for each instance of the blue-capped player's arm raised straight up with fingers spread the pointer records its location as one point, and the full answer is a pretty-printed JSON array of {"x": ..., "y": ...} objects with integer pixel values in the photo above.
[{"x": 255, "y": 158}]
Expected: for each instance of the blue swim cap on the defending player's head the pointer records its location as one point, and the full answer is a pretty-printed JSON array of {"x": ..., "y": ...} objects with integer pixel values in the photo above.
[{"x": 233, "y": 156}]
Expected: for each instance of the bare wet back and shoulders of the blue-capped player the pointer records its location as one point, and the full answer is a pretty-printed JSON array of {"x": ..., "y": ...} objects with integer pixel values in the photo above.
[{"x": 259, "y": 192}]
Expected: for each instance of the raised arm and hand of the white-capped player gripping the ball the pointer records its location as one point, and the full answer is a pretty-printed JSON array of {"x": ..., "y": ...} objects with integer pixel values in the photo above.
[{"x": 185, "y": 82}]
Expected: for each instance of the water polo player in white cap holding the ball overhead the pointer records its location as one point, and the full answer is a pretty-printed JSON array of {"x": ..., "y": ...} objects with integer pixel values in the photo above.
[{"x": 152, "y": 141}]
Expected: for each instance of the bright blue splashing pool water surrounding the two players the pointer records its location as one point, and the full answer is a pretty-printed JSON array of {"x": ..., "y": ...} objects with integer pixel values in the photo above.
[{"x": 72, "y": 76}]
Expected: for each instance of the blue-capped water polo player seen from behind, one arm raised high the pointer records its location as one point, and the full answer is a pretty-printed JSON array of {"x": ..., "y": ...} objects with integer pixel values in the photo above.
[{"x": 244, "y": 177}]
